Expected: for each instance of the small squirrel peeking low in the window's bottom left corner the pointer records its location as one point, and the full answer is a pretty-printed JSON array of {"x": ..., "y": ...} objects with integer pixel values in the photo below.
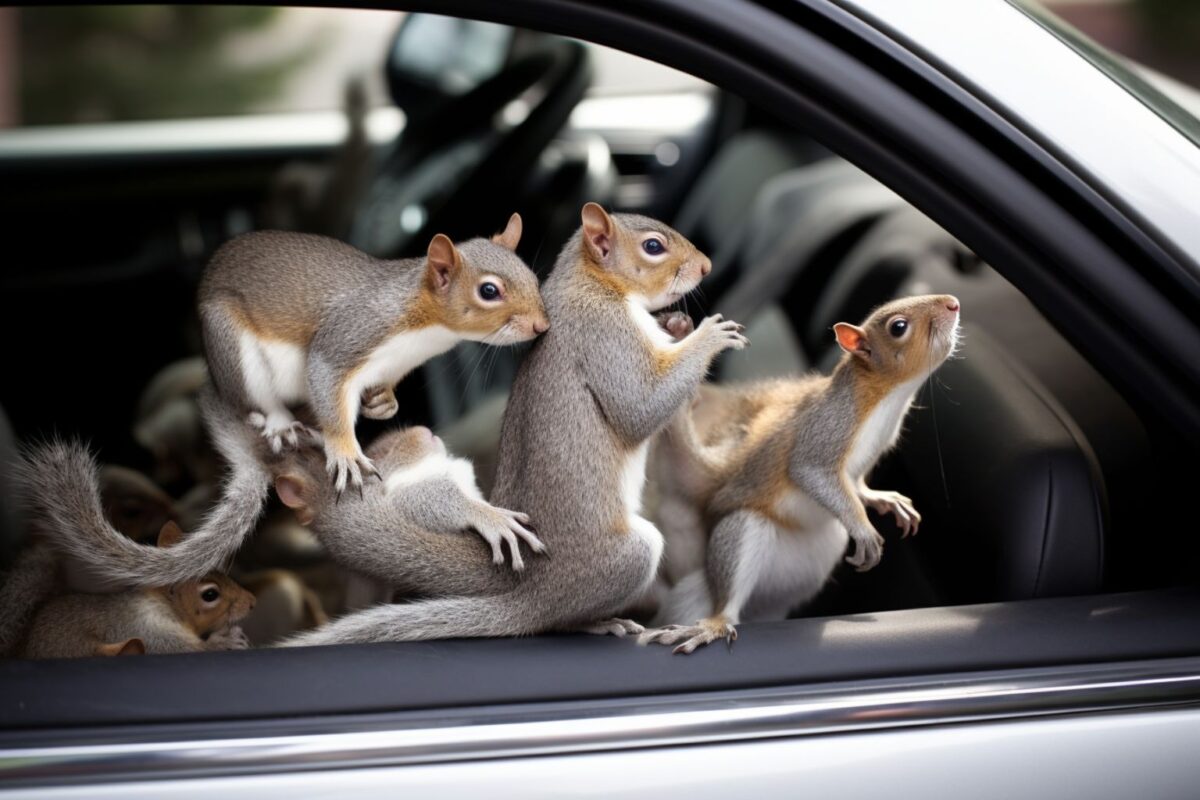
[{"x": 184, "y": 618}]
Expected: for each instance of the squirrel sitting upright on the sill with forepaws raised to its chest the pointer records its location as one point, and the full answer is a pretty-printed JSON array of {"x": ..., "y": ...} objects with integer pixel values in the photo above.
[{"x": 587, "y": 399}]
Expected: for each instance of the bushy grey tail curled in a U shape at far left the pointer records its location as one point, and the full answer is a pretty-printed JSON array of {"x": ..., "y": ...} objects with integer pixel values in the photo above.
[{"x": 58, "y": 483}]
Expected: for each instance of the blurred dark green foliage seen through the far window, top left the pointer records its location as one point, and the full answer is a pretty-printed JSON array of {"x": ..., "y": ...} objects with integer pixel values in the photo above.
[{"x": 133, "y": 63}]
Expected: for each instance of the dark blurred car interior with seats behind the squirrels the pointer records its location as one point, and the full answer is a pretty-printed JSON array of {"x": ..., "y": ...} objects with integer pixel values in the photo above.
[{"x": 1036, "y": 478}]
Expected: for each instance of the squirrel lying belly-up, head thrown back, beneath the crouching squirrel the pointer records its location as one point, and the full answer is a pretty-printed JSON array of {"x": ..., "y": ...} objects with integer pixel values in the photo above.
[{"x": 416, "y": 530}]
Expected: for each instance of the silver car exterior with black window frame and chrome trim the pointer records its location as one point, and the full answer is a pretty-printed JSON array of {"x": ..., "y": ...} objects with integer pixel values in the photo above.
[{"x": 1094, "y": 693}]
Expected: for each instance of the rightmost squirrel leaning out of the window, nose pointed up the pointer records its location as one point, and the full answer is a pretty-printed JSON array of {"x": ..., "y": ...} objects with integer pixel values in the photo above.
[{"x": 779, "y": 474}]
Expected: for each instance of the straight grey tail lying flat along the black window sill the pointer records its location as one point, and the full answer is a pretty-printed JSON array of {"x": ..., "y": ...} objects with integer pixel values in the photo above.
[{"x": 448, "y": 618}]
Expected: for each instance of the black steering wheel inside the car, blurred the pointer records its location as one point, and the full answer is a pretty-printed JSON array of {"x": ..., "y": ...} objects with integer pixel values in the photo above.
[{"x": 457, "y": 169}]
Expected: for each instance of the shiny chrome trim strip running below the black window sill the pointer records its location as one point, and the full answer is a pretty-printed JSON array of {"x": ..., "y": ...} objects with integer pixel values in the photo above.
[{"x": 565, "y": 729}]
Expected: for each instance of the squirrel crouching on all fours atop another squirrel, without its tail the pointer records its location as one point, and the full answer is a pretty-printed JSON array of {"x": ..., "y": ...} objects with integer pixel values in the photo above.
[{"x": 296, "y": 318}]
